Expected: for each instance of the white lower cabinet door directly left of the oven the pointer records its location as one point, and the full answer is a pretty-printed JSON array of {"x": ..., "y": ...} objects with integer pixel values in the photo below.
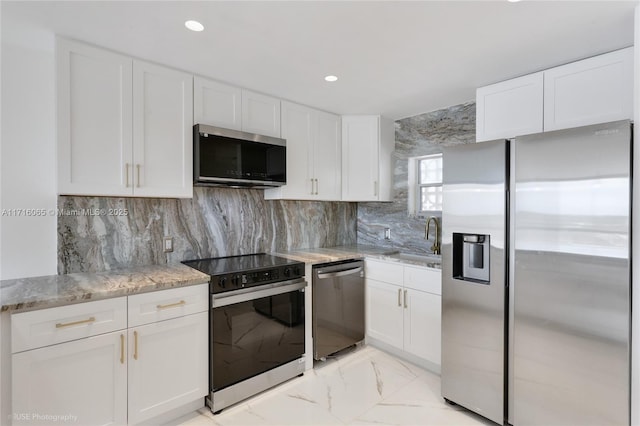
[{"x": 168, "y": 365}]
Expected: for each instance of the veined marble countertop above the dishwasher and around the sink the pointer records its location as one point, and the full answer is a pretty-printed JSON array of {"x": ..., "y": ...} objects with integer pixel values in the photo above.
[{"x": 336, "y": 254}]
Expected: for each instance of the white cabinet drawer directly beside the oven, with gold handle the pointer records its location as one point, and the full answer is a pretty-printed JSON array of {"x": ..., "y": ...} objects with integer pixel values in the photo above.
[{"x": 166, "y": 304}]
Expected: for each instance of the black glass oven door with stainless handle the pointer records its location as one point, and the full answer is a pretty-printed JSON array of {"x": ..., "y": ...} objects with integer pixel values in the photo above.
[{"x": 254, "y": 331}]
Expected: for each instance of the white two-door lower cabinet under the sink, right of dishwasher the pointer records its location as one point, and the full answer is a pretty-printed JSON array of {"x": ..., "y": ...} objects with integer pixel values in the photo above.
[{"x": 400, "y": 315}]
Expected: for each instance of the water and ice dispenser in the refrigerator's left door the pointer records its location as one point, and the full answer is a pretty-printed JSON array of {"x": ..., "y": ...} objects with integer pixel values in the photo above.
[{"x": 471, "y": 257}]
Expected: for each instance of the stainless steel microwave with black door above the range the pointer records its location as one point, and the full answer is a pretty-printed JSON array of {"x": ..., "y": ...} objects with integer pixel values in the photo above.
[{"x": 225, "y": 157}]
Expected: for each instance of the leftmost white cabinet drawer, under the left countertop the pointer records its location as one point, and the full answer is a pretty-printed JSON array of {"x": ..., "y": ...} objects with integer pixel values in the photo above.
[{"x": 46, "y": 327}]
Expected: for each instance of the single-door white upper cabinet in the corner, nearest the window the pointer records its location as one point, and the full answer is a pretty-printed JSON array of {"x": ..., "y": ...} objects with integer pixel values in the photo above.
[{"x": 367, "y": 144}]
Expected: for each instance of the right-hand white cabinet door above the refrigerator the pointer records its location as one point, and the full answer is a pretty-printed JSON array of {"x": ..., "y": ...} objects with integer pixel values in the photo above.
[{"x": 595, "y": 90}]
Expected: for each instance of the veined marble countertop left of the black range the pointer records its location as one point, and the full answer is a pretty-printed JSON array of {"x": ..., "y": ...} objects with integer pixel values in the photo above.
[{"x": 56, "y": 290}]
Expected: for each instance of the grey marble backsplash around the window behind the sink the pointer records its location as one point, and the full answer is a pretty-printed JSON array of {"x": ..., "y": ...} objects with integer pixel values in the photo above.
[{"x": 419, "y": 135}]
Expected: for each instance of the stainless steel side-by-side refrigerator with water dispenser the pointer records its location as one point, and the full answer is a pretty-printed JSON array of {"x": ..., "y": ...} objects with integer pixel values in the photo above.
[{"x": 536, "y": 273}]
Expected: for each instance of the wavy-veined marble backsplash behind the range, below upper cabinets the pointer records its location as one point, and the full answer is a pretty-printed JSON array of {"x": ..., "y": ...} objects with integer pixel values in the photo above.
[{"x": 103, "y": 233}]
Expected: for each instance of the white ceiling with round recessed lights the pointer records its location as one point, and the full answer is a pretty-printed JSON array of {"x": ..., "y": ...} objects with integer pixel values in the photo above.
[{"x": 392, "y": 57}]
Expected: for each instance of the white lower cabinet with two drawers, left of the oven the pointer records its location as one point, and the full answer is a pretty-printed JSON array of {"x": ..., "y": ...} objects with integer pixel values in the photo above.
[{"x": 110, "y": 375}]
